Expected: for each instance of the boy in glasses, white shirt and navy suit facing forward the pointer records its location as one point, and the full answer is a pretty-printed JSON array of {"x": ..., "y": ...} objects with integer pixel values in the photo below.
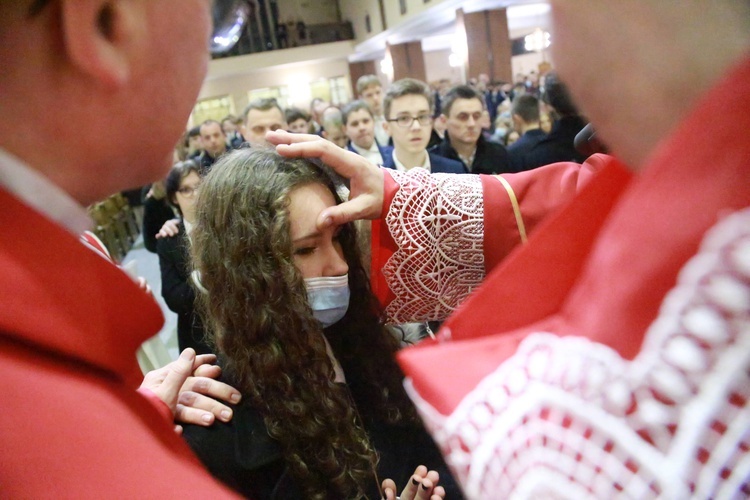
[{"x": 408, "y": 107}]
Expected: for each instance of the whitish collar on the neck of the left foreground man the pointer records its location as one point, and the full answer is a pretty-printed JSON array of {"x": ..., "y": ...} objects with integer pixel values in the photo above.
[{"x": 42, "y": 195}]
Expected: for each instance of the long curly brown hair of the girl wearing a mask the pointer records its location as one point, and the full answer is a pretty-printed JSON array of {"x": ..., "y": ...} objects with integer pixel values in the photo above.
[{"x": 256, "y": 309}]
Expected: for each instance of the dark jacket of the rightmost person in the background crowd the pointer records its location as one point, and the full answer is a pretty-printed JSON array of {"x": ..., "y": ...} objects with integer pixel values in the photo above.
[{"x": 558, "y": 145}]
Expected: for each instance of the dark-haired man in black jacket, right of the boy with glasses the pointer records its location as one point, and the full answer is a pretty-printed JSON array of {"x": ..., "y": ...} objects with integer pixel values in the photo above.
[{"x": 462, "y": 112}]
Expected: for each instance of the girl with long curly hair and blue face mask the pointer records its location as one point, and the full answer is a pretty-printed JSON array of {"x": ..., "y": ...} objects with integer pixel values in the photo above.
[{"x": 301, "y": 336}]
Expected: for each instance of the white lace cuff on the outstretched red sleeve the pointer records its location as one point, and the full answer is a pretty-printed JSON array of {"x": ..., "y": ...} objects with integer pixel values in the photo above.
[{"x": 437, "y": 222}]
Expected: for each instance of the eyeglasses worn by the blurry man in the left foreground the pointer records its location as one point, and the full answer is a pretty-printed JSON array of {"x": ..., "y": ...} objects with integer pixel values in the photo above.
[{"x": 229, "y": 18}]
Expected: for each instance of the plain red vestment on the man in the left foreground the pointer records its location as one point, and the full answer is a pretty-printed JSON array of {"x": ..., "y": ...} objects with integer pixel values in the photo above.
[{"x": 73, "y": 424}]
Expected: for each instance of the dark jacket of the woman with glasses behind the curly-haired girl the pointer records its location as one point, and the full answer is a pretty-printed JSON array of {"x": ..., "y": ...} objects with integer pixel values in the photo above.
[{"x": 178, "y": 292}]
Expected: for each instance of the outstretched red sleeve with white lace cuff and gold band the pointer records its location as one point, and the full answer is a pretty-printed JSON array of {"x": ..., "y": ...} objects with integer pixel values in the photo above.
[{"x": 441, "y": 233}]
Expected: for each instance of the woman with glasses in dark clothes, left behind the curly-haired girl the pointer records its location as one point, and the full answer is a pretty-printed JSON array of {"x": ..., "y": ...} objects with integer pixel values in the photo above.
[{"x": 174, "y": 256}]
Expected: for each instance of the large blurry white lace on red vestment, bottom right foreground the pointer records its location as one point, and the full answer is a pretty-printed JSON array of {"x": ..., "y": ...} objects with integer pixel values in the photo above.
[{"x": 569, "y": 418}]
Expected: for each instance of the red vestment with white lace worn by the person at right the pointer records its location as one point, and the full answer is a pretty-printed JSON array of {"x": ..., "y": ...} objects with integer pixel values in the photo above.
[{"x": 609, "y": 355}]
